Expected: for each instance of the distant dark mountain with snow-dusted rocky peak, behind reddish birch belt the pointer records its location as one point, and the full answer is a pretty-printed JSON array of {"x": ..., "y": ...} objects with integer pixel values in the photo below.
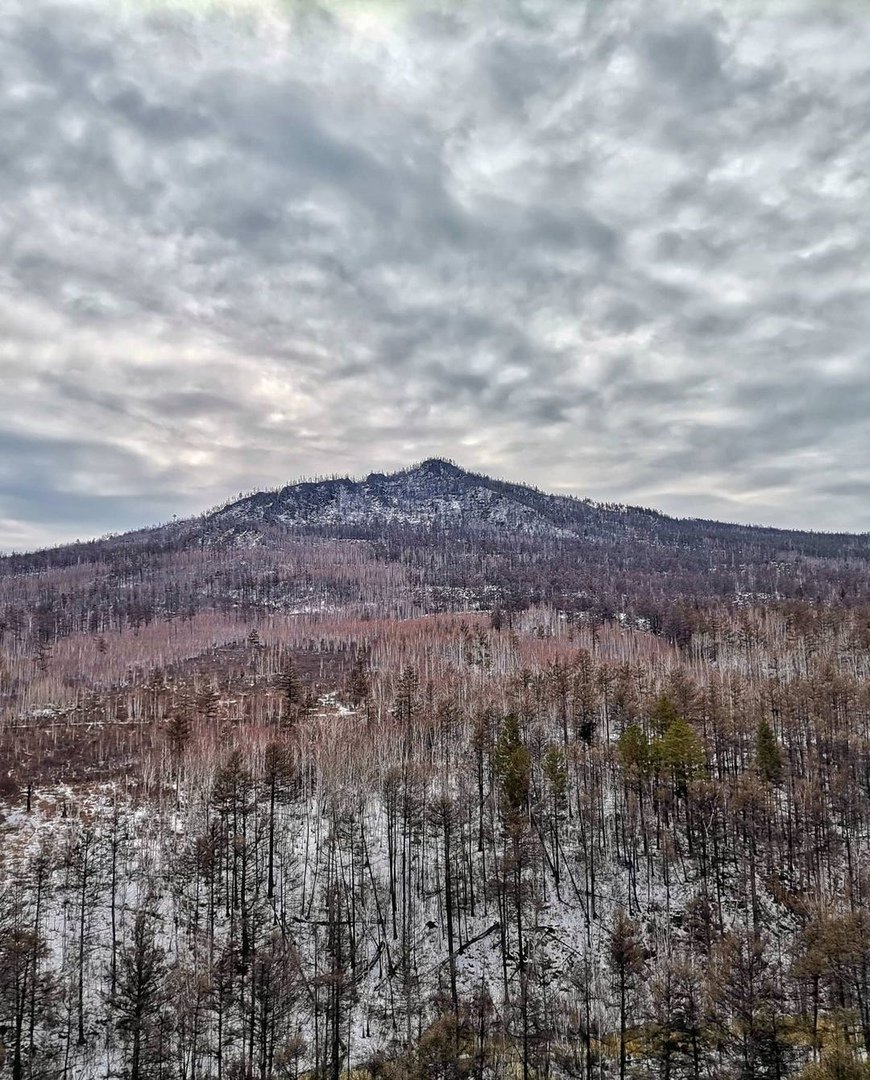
[{"x": 430, "y": 538}]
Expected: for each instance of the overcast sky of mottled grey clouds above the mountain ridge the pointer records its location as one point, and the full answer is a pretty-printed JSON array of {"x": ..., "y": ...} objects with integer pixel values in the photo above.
[{"x": 618, "y": 249}]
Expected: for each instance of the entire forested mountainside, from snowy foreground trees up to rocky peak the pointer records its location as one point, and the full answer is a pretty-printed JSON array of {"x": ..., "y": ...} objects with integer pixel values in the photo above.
[{"x": 531, "y": 788}]
